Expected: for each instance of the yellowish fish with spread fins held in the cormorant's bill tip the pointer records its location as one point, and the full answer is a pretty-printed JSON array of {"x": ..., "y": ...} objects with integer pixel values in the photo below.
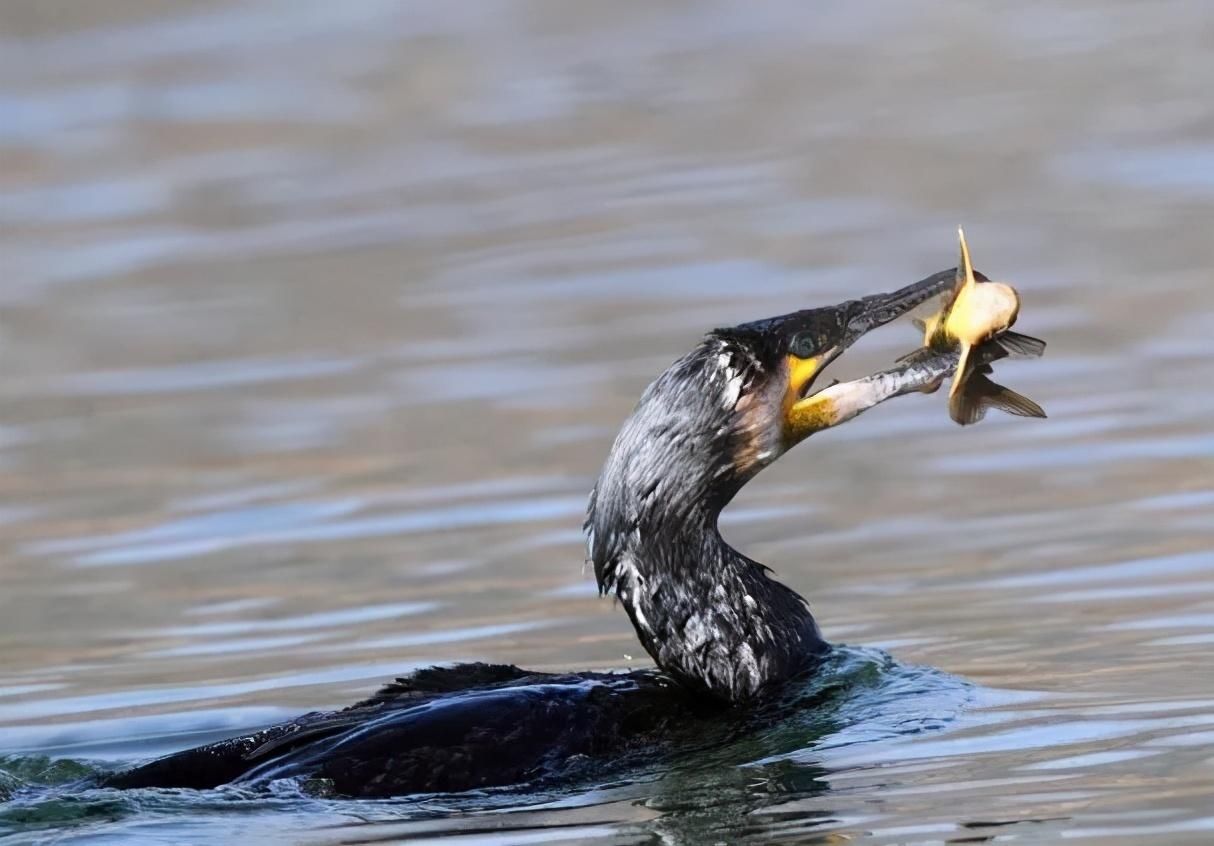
[{"x": 977, "y": 319}]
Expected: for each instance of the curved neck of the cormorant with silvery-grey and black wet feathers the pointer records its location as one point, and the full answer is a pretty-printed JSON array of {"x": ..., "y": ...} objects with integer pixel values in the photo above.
[{"x": 707, "y": 615}]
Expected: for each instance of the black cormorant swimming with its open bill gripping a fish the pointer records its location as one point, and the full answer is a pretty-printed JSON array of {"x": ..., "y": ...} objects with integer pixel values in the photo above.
[{"x": 727, "y": 638}]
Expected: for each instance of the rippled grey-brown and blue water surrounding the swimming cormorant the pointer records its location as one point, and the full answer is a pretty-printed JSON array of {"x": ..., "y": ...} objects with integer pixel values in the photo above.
[{"x": 317, "y": 321}]
